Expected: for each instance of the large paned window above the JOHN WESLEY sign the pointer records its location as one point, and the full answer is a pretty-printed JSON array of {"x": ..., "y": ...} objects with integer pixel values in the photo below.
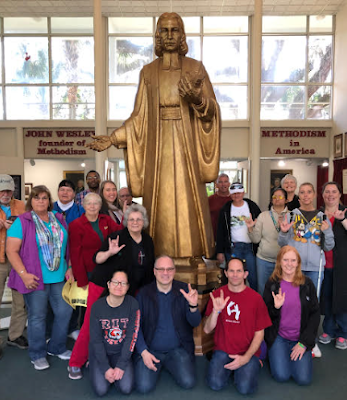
[{"x": 48, "y": 69}]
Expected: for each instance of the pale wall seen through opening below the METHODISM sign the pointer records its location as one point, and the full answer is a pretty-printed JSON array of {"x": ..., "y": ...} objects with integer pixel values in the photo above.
[{"x": 301, "y": 170}]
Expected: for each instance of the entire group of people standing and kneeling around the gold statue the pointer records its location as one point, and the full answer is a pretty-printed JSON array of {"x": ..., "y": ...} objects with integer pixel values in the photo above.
[{"x": 139, "y": 319}]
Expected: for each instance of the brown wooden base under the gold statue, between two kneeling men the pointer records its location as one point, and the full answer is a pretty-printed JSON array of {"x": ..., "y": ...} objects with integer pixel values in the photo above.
[{"x": 206, "y": 276}]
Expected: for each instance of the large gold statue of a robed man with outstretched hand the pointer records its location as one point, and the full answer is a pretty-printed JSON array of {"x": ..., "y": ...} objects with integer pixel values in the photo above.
[{"x": 171, "y": 145}]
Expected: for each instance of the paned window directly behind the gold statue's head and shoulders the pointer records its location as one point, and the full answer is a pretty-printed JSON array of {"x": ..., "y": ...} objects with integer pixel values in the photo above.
[{"x": 221, "y": 43}]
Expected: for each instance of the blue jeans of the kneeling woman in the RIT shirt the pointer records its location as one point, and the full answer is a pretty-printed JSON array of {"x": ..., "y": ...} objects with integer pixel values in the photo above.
[{"x": 100, "y": 385}]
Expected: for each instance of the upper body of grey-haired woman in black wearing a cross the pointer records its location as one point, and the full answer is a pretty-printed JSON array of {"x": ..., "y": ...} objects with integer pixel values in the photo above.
[{"x": 136, "y": 253}]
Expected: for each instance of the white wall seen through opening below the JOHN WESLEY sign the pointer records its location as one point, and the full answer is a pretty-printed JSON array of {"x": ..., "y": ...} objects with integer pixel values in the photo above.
[{"x": 50, "y": 172}]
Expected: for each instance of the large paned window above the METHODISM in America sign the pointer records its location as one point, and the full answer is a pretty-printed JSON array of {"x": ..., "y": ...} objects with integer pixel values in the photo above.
[{"x": 297, "y": 67}]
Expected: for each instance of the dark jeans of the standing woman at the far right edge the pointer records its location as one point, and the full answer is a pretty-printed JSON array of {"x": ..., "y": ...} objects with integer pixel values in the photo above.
[{"x": 334, "y": 325}]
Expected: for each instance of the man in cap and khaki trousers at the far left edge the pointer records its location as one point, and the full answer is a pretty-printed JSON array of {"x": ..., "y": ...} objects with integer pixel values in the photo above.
[{"x": 10, "y": 208}]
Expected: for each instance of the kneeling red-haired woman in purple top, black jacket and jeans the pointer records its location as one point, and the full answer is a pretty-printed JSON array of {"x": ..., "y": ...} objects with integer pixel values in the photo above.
[{"x": 293, "y": 307}]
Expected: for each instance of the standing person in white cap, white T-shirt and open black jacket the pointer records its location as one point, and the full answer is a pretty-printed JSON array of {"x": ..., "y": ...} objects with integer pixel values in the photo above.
[{"x": 232, "y": 231}]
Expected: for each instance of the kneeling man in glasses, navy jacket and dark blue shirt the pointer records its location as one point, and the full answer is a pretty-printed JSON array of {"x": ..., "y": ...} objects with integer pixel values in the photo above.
[{"x": 169, "y": 312}]
